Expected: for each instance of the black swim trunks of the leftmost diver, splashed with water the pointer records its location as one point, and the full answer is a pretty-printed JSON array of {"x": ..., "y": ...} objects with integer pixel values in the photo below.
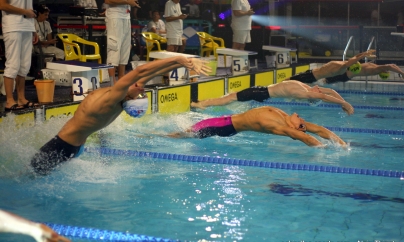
[{"x": 53, "y": 153}]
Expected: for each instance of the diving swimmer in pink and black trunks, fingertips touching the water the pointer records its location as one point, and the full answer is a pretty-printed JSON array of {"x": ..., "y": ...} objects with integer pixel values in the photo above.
[{"x": 265, "y": 119}]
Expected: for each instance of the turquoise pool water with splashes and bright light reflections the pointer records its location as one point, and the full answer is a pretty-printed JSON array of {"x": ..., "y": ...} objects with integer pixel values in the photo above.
[{"x": 213, "y": 202}]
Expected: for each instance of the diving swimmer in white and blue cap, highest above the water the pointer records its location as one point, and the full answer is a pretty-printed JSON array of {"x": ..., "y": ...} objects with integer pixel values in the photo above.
[{"x": 102, "y": 106}]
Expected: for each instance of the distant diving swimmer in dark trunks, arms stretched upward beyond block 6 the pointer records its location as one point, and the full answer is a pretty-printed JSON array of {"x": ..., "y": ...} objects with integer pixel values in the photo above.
[{"x": 330, "y": 69}]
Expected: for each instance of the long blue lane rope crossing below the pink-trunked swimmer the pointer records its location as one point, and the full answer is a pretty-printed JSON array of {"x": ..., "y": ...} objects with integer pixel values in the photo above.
[{"x": 244, "y": 162}]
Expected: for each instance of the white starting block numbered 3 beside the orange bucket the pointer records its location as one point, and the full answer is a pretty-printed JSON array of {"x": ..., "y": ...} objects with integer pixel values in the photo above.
[{"x": 85, "y": 75}]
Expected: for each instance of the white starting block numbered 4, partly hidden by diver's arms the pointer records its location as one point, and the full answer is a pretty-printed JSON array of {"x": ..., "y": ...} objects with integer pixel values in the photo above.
[{"x": 180, "y": 73}]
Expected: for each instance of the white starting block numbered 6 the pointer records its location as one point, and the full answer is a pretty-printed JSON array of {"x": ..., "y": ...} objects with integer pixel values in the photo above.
[{"x": 281, "y": 58}]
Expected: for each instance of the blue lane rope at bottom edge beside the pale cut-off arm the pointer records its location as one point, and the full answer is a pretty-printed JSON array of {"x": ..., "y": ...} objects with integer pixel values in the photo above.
[{"x": 102, "y": 235}]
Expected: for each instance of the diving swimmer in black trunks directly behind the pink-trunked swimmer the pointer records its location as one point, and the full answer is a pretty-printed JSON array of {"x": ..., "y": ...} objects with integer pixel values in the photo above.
[{"x": 285, "y": 89}]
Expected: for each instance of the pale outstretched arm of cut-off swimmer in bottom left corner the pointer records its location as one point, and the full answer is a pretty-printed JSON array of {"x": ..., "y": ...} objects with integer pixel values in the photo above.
[{"x": 11, "y": 223}]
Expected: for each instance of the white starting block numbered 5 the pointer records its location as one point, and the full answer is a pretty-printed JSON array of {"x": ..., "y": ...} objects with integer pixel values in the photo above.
[{"x": 240, "y": 64}]
